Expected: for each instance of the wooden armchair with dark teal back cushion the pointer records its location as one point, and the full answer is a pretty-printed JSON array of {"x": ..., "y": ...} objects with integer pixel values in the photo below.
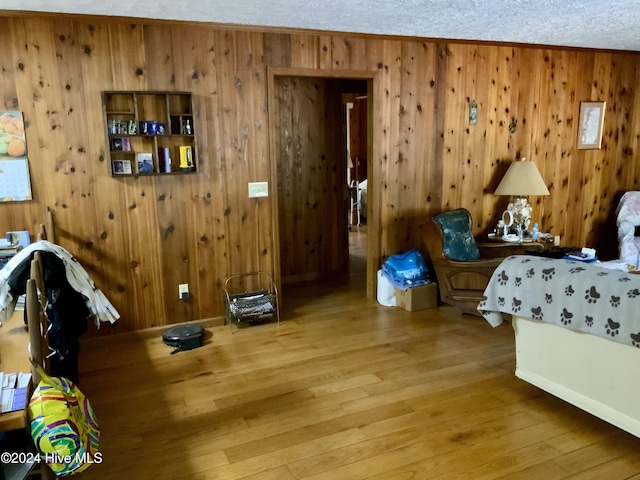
[{"x": 461, "y": 272}]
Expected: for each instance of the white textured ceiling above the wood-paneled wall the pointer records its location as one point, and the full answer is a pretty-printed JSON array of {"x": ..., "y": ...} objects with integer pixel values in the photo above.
[{"x": 605, "y": 24}]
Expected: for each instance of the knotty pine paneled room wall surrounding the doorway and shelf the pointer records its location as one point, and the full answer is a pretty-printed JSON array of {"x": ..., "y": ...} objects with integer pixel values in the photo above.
[{"x": 139, "y": 238}]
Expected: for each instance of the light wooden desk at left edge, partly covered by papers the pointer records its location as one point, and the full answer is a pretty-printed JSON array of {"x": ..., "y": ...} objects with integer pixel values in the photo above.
[{"x": 14, "y": 357}]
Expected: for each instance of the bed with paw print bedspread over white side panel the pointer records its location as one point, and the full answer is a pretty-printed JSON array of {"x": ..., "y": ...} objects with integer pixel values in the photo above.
[{"x": 577, "y": 332}]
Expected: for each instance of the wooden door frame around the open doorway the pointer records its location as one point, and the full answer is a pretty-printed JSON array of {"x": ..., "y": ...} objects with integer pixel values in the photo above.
[{"x": 373, "y": 221}]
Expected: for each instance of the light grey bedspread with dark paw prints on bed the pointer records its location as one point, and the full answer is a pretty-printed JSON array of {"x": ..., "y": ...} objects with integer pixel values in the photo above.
[{"x": 574, "y": 295}]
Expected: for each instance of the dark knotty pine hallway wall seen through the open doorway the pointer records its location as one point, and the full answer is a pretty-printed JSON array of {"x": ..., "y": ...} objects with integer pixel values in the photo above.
[{"x": 311, "y": 177}]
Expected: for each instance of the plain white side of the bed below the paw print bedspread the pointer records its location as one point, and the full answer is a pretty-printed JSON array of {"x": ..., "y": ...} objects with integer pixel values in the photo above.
[{"x": 593, "y": 373}]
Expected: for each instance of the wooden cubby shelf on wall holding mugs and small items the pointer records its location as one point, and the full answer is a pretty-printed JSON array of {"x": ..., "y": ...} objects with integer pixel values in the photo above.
[{"x": 127, "y": 117}]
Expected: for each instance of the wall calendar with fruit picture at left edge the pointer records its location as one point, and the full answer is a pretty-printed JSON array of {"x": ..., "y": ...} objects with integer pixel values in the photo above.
[{"x": 15, "y": 183}]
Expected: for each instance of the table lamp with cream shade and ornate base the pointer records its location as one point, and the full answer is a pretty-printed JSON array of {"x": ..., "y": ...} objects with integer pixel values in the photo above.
[{"x": 521, "y": 180}]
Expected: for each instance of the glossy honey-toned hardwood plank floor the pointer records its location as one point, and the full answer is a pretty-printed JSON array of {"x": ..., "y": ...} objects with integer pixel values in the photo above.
[{"x": 343, "y": 389}]
